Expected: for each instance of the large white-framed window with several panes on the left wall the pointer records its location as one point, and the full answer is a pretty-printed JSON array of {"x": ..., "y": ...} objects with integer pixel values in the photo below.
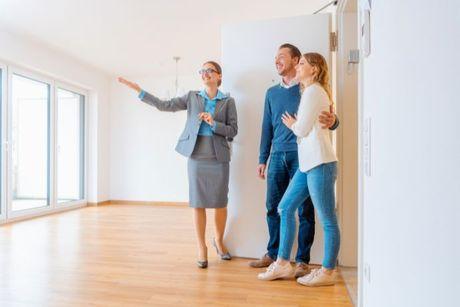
[{"x": 43, "y": 129}]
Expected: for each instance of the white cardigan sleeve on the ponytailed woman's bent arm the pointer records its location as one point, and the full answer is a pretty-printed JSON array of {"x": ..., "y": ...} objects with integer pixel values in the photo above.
[{"x": 309, "y": 109}]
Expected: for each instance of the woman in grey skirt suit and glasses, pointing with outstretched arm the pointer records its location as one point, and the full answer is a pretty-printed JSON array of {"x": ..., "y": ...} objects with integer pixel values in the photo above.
[{"x": 211, "y": 124}]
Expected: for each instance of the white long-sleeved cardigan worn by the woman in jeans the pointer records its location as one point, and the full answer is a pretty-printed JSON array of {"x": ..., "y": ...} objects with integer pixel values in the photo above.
[{"x": 315, "y": 146}]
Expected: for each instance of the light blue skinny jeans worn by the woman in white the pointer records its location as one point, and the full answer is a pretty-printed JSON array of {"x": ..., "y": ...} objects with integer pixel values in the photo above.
[{"x": 318, "y": 183}]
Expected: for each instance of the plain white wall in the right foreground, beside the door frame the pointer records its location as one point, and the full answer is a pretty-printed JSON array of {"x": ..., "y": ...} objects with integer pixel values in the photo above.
[{"x": 411, "y": 202}]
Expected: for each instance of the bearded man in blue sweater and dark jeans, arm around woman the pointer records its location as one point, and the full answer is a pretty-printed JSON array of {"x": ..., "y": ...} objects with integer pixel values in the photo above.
[{"x": 280, "y": 144}]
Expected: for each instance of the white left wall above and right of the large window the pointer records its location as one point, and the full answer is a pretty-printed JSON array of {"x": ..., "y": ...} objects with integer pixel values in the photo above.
[{"x": 25, "y": 52}]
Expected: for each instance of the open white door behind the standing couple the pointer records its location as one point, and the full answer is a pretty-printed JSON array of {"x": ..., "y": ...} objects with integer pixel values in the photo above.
[{"x": 248, "y": 52}]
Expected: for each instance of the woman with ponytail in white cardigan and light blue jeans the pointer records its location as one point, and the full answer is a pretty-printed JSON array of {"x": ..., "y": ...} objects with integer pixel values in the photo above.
[{"x": 316, "y": 175}]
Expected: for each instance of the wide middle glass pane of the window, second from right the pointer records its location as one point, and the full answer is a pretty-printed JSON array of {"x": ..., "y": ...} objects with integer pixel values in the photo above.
[{"x": 30, "y": 143}]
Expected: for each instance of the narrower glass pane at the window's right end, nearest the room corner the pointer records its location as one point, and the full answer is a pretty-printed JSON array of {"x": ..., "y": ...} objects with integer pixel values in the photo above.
[{"x": 70, "y": 149}]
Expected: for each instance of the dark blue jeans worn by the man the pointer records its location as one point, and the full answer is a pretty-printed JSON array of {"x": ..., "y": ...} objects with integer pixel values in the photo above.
[{"x": 281, "y": 169}]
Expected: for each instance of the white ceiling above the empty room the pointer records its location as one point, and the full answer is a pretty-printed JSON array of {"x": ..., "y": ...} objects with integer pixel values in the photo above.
[{"x": 140, "y": 37}]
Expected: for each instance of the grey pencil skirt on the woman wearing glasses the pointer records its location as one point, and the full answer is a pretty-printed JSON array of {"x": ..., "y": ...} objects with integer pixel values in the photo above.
[{"x": 207, "y": 177}]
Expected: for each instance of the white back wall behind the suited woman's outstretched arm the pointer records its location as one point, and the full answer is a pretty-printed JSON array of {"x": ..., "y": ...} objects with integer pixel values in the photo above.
[{"x": 144, "y": 165}]
